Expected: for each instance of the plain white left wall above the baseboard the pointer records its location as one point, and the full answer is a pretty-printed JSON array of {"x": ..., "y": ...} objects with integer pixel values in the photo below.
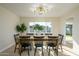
[{"x": 8, "y": 21}]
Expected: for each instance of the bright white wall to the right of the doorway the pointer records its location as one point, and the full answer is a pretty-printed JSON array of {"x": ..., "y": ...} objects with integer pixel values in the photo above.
[{"x": 76, "y": 34}]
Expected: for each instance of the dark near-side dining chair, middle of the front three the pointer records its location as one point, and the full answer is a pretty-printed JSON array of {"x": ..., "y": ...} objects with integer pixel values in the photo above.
[{"x": 38, "y": 43}]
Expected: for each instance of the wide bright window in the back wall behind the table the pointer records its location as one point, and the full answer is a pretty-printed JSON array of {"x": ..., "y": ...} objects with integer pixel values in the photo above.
[{"x": 47, "y": 27}]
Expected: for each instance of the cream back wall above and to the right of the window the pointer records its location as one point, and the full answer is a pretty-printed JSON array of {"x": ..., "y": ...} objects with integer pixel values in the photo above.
[{"x": 55, "y": 22}]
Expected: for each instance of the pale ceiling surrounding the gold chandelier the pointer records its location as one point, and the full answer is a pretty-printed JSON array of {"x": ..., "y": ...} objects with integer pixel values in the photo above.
[{"x": 24, "y": 9}]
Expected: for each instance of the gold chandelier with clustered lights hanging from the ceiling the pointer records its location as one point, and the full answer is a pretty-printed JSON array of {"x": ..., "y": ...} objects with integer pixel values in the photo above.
[{"x": 40, "y": 10}]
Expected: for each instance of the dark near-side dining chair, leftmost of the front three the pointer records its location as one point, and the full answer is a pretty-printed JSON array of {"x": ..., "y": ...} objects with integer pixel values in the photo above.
[{"x": 24, "y": 43}]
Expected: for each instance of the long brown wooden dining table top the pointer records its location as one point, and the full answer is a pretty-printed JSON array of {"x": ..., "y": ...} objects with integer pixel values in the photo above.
[{"x": 39, "y": 38}]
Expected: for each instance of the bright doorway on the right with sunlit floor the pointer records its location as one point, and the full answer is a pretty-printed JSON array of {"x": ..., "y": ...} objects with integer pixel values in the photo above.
[{"x": 69, "y": 35}]
